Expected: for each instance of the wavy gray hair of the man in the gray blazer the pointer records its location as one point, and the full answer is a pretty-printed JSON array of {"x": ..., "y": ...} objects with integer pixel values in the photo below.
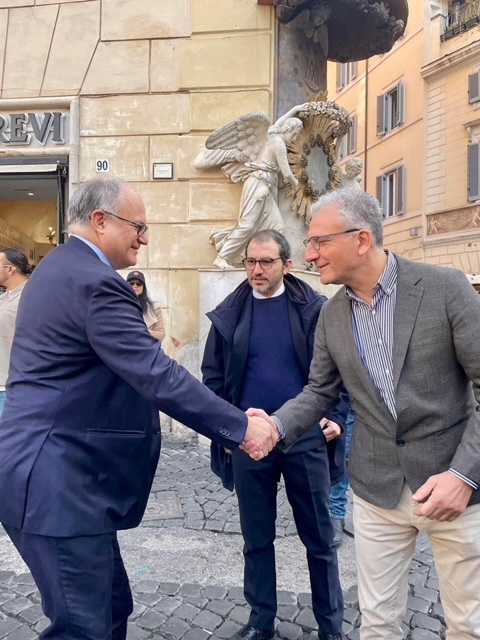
[{"x": 357, "y": 208}]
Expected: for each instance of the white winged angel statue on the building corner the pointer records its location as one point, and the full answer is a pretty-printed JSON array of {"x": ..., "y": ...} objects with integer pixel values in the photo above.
[{"x": 251, "y": 151}]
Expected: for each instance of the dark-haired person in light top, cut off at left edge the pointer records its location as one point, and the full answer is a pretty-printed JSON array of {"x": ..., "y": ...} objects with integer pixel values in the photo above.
[{"x": 14, "y": 272}]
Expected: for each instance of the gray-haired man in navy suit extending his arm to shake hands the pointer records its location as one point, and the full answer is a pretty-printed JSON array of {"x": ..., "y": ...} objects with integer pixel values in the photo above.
[{"x": 80, "y": 434}]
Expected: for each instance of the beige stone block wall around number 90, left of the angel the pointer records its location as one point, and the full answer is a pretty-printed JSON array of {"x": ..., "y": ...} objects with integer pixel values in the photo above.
[{"x": 153, "y": 78}]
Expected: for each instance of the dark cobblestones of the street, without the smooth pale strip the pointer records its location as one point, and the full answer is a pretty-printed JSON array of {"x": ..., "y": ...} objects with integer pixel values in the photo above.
[{"x": 185, "y": 495}]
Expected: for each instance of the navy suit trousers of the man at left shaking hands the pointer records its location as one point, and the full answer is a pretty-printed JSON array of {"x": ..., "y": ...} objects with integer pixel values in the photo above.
[{"x": 83, "y": 583}]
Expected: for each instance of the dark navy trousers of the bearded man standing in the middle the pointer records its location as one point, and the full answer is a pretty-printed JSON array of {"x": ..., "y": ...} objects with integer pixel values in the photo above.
[{"x": 307, "y": 484}]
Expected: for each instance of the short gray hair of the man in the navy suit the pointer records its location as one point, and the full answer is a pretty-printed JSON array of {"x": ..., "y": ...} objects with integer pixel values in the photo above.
[{"x": 95, "y": 194}]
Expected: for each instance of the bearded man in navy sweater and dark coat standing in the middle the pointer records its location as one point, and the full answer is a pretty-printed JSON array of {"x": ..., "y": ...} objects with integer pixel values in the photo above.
[{"x": 258, "y": 354}]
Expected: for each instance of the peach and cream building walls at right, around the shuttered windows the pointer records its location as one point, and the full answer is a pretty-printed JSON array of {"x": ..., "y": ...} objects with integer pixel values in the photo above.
[{"x": 439, "y": 224}]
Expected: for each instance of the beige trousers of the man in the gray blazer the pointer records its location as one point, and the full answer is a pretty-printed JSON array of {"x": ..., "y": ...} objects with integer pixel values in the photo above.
[{"x": 384, "y": 546}]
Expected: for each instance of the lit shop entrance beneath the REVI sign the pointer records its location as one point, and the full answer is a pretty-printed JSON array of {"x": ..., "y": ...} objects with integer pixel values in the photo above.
[{"x": 33, "y": 196}]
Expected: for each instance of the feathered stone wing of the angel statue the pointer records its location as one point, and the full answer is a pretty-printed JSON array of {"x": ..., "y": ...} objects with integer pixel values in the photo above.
[{"x": 235, "y": 143}]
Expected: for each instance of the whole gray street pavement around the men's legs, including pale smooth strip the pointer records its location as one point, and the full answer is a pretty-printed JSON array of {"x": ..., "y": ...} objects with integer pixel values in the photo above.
[{"x": 186, "y": 567}]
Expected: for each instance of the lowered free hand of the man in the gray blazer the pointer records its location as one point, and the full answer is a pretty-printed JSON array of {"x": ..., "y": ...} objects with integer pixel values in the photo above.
[{"x": 443, "y": 497}]
